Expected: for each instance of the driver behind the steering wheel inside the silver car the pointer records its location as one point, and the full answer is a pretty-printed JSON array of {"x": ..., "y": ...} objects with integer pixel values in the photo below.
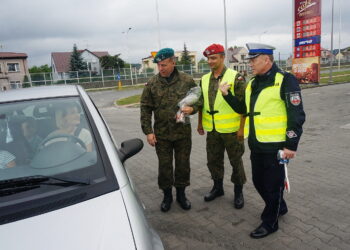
[{"x": 68, "y": 122}]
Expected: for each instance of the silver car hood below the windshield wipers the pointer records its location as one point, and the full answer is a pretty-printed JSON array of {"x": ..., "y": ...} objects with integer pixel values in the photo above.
[{"x": 100, "y": 223}]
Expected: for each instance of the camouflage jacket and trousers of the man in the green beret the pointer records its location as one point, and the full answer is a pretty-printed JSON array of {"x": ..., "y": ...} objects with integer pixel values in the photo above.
[{"x": 161, "y": 96}]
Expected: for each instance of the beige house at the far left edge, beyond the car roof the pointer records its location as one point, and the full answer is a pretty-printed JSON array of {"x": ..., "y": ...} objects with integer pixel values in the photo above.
[{"x": 13, "y": 69}]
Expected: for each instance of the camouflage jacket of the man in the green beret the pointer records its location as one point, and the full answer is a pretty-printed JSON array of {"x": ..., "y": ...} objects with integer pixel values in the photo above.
[{"x": 161, "y": 98}]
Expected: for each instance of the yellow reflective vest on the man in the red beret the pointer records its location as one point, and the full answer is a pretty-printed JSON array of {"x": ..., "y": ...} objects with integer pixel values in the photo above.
[{"x": 226, "y": 120}]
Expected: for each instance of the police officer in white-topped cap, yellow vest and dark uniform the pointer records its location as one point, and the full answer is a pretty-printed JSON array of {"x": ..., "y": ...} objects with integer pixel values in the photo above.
[{"x": 275, "y": 115}]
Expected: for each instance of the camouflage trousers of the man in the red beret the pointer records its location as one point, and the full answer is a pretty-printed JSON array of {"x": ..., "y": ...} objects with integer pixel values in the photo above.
[{"x": 216, "y": 145}]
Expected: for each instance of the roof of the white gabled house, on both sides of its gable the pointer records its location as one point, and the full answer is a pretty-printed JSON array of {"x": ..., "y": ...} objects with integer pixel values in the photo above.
[{"x": 62, "y": 59}]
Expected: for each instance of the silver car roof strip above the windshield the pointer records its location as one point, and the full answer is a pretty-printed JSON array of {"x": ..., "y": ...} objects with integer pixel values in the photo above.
[{"x": 38, "y": 93}]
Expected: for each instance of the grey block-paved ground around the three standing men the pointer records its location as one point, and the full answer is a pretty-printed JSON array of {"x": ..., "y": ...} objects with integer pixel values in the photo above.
[{"x": 319, "y": 207}]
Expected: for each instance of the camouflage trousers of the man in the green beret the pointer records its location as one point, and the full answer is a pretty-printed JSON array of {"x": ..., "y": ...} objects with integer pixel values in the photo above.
[{"x": 166, "y": 150}]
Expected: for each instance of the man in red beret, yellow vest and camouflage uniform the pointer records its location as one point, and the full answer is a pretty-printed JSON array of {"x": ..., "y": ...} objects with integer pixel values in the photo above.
[{"x": 223, "y": 125}]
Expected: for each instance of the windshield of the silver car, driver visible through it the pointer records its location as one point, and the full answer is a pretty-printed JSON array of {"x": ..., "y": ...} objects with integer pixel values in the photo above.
[{"x": 47, "y": 137}]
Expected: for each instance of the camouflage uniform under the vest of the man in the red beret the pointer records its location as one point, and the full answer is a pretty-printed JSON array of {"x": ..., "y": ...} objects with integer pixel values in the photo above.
[{"x": 217, "y": 142}]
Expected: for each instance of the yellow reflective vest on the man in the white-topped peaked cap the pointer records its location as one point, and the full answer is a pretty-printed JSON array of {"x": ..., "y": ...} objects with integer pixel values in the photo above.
[{"x": 269, "y": 114}]
